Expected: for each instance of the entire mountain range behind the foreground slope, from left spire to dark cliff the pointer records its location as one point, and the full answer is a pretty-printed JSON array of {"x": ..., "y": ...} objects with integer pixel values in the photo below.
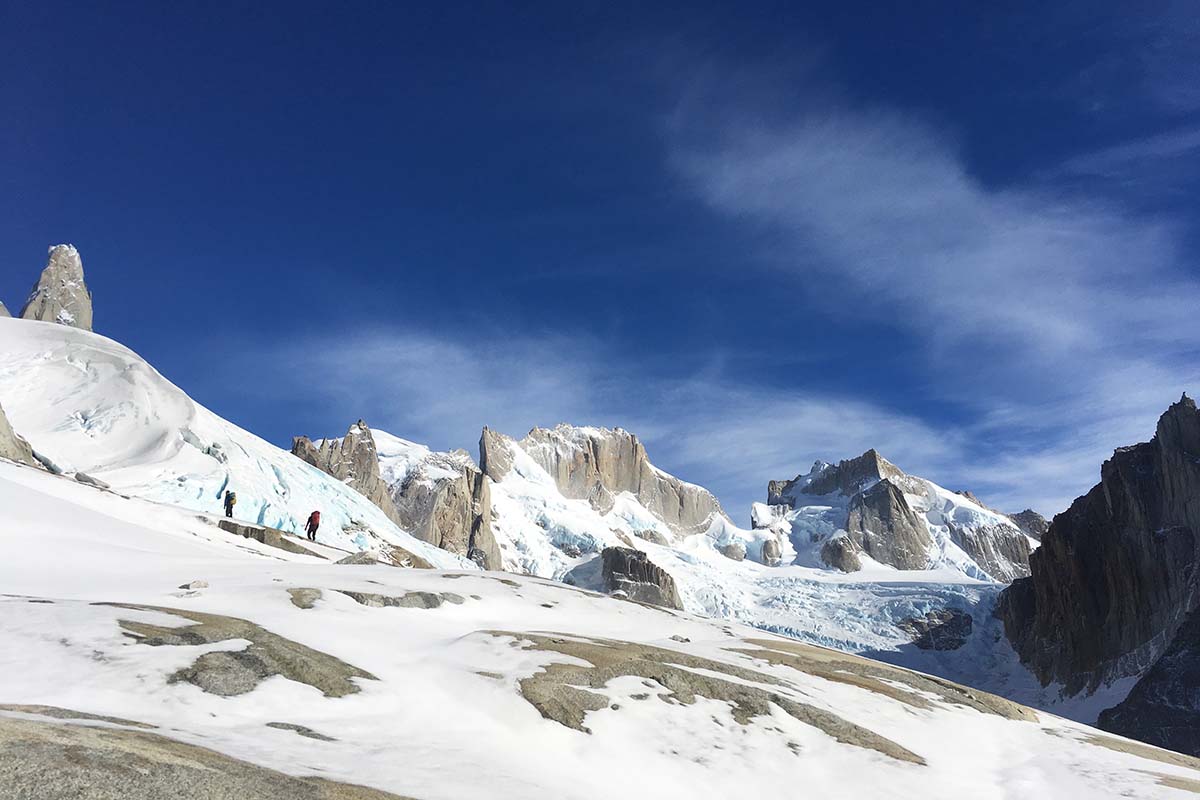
[{"x": 1090, "y": 616}]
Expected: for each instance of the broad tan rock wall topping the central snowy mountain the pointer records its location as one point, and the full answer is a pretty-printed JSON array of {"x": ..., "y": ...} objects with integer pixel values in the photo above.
[{"x": 597, "y": 465}]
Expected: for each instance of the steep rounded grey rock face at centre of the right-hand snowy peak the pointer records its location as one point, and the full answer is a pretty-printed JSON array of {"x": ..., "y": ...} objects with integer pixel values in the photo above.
[{"x": 885, "y": 527}]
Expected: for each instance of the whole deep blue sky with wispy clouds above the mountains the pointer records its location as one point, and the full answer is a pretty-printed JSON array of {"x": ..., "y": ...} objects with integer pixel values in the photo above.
[{"x": 754, "y": 236}]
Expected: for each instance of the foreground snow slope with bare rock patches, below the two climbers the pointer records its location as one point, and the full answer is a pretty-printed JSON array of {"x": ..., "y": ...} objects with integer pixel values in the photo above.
[{"x": 685, "y": 707}]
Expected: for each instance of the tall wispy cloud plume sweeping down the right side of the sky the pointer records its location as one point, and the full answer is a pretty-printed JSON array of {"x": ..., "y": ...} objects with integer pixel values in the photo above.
[{"x": 1060, "y": 327}]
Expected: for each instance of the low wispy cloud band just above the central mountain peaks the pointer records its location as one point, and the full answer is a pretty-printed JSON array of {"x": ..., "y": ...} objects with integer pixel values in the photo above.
[{"x": 705, "y": 428}]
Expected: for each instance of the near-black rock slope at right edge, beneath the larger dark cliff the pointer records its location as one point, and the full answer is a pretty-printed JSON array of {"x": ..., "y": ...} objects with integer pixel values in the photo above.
[{"x": 1165, "y": 708}]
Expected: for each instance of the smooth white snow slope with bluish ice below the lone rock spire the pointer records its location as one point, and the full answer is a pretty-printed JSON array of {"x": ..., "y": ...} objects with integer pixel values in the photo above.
[{"x": 93, "y": 406}]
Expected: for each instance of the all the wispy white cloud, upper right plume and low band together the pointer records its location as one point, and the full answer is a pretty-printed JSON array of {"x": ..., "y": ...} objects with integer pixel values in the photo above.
[{"x": 1055, "y": 328}]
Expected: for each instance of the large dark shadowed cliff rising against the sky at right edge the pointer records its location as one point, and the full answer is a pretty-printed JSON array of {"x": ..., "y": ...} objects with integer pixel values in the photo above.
[{"x": 1115, "y": 576}]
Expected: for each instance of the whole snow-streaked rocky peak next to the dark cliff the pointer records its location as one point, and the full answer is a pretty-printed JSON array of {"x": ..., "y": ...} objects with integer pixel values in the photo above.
[{"x": 869, "y": 508}]
